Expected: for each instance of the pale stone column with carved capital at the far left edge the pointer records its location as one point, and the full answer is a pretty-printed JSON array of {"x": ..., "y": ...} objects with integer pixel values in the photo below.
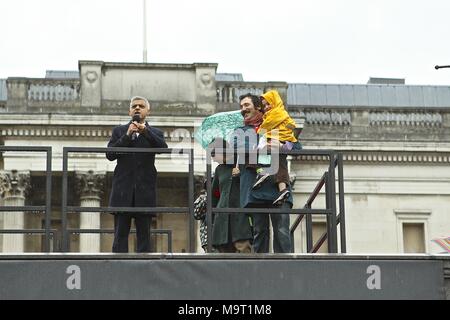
[{"x": 14, "y": 186}]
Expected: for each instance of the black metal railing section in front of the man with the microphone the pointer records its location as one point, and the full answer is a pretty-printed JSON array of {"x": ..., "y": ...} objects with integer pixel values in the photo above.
[{"x": 66, "y": 208}]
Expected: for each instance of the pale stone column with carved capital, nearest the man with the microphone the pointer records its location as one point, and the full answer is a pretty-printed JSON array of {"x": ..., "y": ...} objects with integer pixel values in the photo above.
[{"x": 90, "y": 188}]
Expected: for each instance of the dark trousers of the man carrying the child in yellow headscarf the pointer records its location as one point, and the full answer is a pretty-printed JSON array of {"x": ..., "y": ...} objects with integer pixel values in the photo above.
[{"x": 281, "y": 232}]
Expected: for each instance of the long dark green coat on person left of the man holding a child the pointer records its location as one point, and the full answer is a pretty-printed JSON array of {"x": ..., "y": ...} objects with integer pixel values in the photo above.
[{"x": 228, "y": 227}]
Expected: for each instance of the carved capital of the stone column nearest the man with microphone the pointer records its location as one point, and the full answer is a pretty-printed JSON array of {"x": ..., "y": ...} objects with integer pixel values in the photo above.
[{"x": 89, "y": 184}]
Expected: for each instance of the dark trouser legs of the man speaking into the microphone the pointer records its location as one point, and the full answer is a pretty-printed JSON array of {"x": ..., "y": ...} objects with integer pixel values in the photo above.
[{"x": 122, "y": 225}]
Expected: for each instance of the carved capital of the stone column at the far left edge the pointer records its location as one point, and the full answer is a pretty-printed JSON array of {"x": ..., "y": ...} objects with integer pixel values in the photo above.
[{"x": 14, "y": 183}]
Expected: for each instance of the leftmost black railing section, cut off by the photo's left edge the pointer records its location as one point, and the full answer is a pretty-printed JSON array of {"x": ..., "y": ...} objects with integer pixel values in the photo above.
[{"x": 48, "y": 192}]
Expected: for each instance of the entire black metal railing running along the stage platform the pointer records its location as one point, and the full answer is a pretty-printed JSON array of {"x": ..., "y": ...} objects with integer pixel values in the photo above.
[{"x": 328, "y": 180}]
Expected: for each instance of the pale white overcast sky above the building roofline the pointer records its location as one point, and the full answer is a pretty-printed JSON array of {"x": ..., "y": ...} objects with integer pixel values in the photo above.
[{"x": 298, "y": 41}]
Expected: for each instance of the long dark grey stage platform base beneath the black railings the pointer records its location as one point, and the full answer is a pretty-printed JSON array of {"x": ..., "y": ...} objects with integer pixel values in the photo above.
[{"x": 181, "y": 276}]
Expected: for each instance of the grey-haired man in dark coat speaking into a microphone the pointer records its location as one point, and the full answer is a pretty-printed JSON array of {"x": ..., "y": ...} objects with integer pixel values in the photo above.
[{"x": 134, "y": 181}]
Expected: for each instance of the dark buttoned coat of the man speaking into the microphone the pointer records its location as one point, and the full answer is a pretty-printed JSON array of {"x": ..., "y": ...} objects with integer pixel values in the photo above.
[{"x": 135, "y": 173}]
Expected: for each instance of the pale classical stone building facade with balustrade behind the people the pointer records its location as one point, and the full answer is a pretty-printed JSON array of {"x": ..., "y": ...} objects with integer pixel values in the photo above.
[{"x": 394, "y": 139}]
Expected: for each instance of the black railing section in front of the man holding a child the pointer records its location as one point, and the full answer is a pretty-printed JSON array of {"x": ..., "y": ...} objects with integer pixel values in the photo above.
[{"x": 327, "y": 180}]
